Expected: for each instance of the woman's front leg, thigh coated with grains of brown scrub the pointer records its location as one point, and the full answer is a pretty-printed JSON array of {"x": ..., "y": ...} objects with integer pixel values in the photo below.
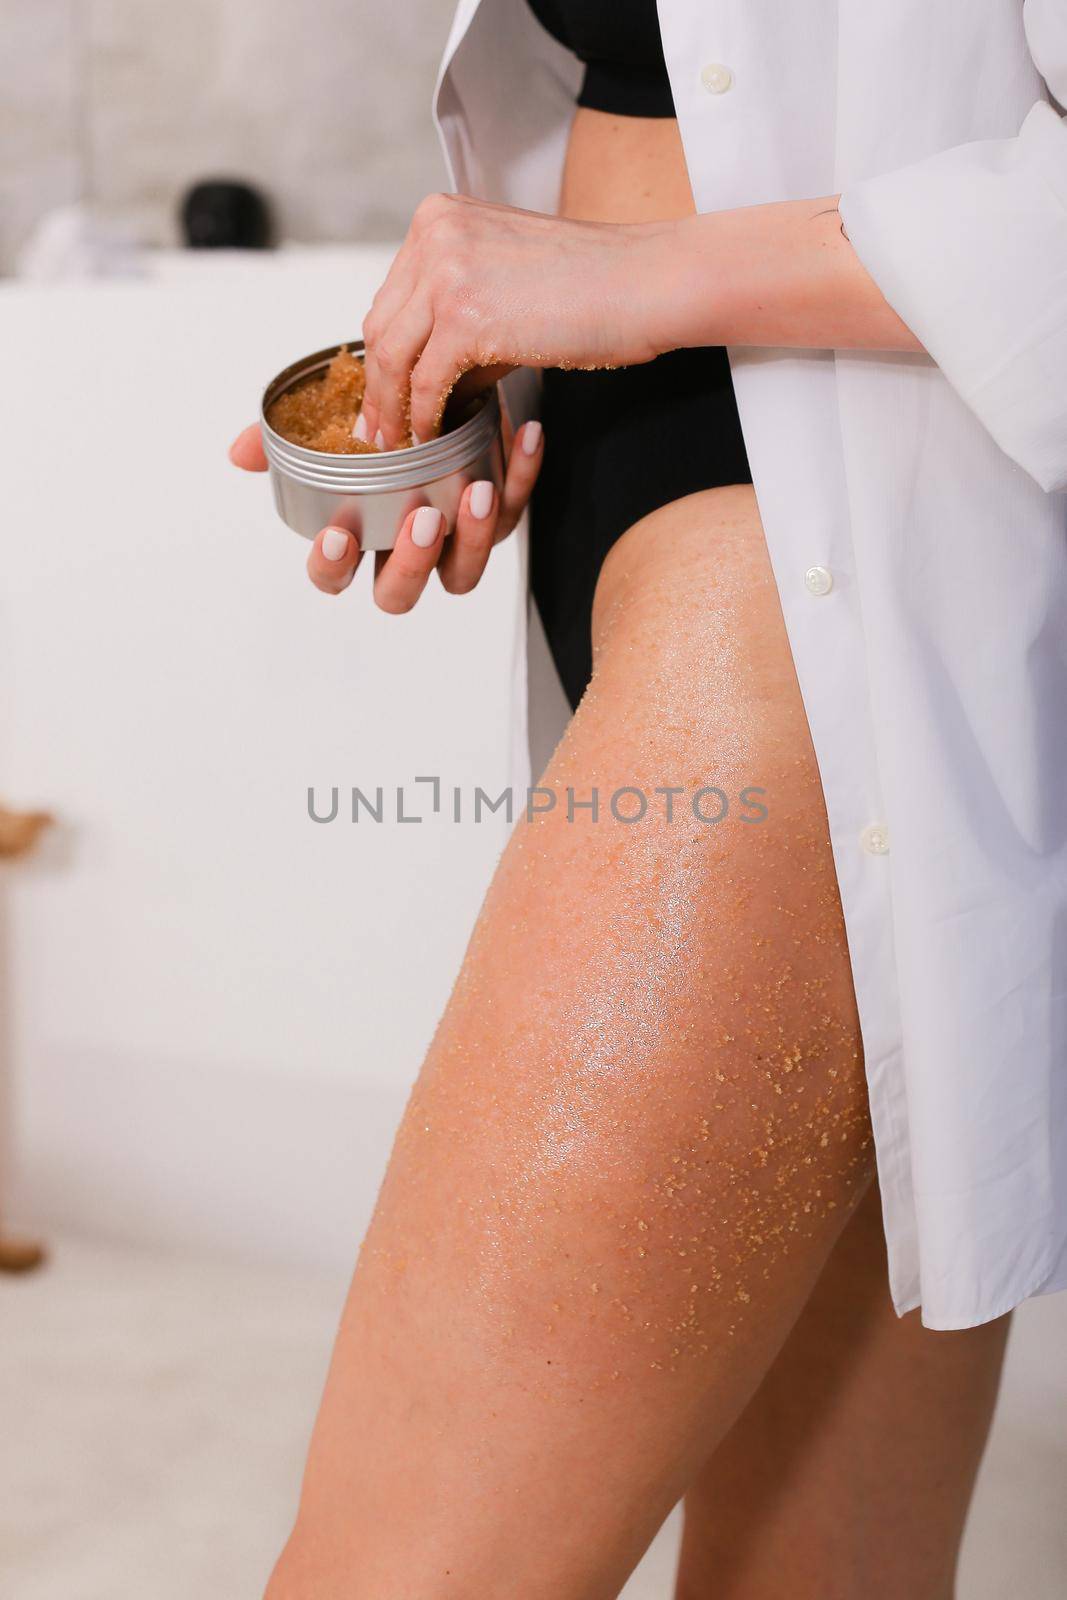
[{"x": 637, "y": 1137}]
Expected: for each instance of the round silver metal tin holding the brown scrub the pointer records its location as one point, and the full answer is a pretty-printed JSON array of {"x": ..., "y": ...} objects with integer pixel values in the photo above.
[{"x": 370, "y": 495}]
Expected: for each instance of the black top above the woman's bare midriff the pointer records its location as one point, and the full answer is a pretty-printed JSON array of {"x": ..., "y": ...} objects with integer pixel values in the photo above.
[{"x": 623, "y": 52}]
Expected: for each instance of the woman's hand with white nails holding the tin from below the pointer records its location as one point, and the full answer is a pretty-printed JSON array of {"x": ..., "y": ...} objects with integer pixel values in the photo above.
[{"x": 401, "y": 575}]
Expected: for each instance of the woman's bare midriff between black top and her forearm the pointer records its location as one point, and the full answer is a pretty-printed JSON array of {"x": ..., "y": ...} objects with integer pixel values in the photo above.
[{"x": 625, "y": 170}]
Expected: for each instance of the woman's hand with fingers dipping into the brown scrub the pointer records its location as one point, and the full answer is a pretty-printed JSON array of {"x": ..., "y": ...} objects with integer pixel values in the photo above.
[{"x": 481, "y": 286}]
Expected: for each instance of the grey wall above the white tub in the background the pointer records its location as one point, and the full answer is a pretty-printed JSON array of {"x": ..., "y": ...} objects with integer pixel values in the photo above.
[{"x": 326, "y": 103}]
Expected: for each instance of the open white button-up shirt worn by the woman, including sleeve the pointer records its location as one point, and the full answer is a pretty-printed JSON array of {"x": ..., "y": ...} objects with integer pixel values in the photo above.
[{"x": 919, "y": 545}]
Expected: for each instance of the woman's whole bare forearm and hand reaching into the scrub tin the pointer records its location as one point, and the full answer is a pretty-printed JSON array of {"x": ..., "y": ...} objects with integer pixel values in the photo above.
[{"x": 481, "y": 286}]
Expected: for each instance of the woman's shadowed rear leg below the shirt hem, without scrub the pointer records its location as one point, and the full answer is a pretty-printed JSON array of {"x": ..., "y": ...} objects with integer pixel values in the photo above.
[{"x": 852, "y": 1468}]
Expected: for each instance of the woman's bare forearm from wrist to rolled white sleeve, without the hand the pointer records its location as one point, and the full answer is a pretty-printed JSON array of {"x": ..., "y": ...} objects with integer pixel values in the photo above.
[{"x": 780, "y": 274}]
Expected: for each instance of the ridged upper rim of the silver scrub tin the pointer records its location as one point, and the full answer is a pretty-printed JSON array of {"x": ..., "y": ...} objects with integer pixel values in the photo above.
[{"x": 386, "y": 470}]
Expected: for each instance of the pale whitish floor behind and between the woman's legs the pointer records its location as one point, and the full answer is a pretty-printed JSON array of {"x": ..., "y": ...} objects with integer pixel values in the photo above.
[{"x": 154, "y": 1414}]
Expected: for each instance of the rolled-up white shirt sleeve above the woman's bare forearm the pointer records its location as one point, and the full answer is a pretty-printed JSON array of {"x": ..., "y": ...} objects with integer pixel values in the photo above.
[{"x": 970, "y": 249}]
